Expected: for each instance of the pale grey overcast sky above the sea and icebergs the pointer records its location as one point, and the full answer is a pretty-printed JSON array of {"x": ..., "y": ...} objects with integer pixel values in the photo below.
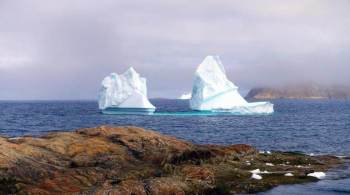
[{"x": 63, "y": 49}]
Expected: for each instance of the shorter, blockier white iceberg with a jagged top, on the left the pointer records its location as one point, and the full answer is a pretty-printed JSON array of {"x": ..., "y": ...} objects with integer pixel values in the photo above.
[{"x": 124, "y": 93}]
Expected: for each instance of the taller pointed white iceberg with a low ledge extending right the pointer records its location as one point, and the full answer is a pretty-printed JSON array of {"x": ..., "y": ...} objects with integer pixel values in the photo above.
[{"x": 212, "y": 91}]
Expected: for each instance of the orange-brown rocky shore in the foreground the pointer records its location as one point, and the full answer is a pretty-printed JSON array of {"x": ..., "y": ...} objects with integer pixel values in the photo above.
[{"x": 131, "y": 160}]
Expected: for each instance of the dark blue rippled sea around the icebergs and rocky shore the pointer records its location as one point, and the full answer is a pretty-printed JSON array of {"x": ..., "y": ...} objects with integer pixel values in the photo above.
[{"x": 309, "y": 126}]
